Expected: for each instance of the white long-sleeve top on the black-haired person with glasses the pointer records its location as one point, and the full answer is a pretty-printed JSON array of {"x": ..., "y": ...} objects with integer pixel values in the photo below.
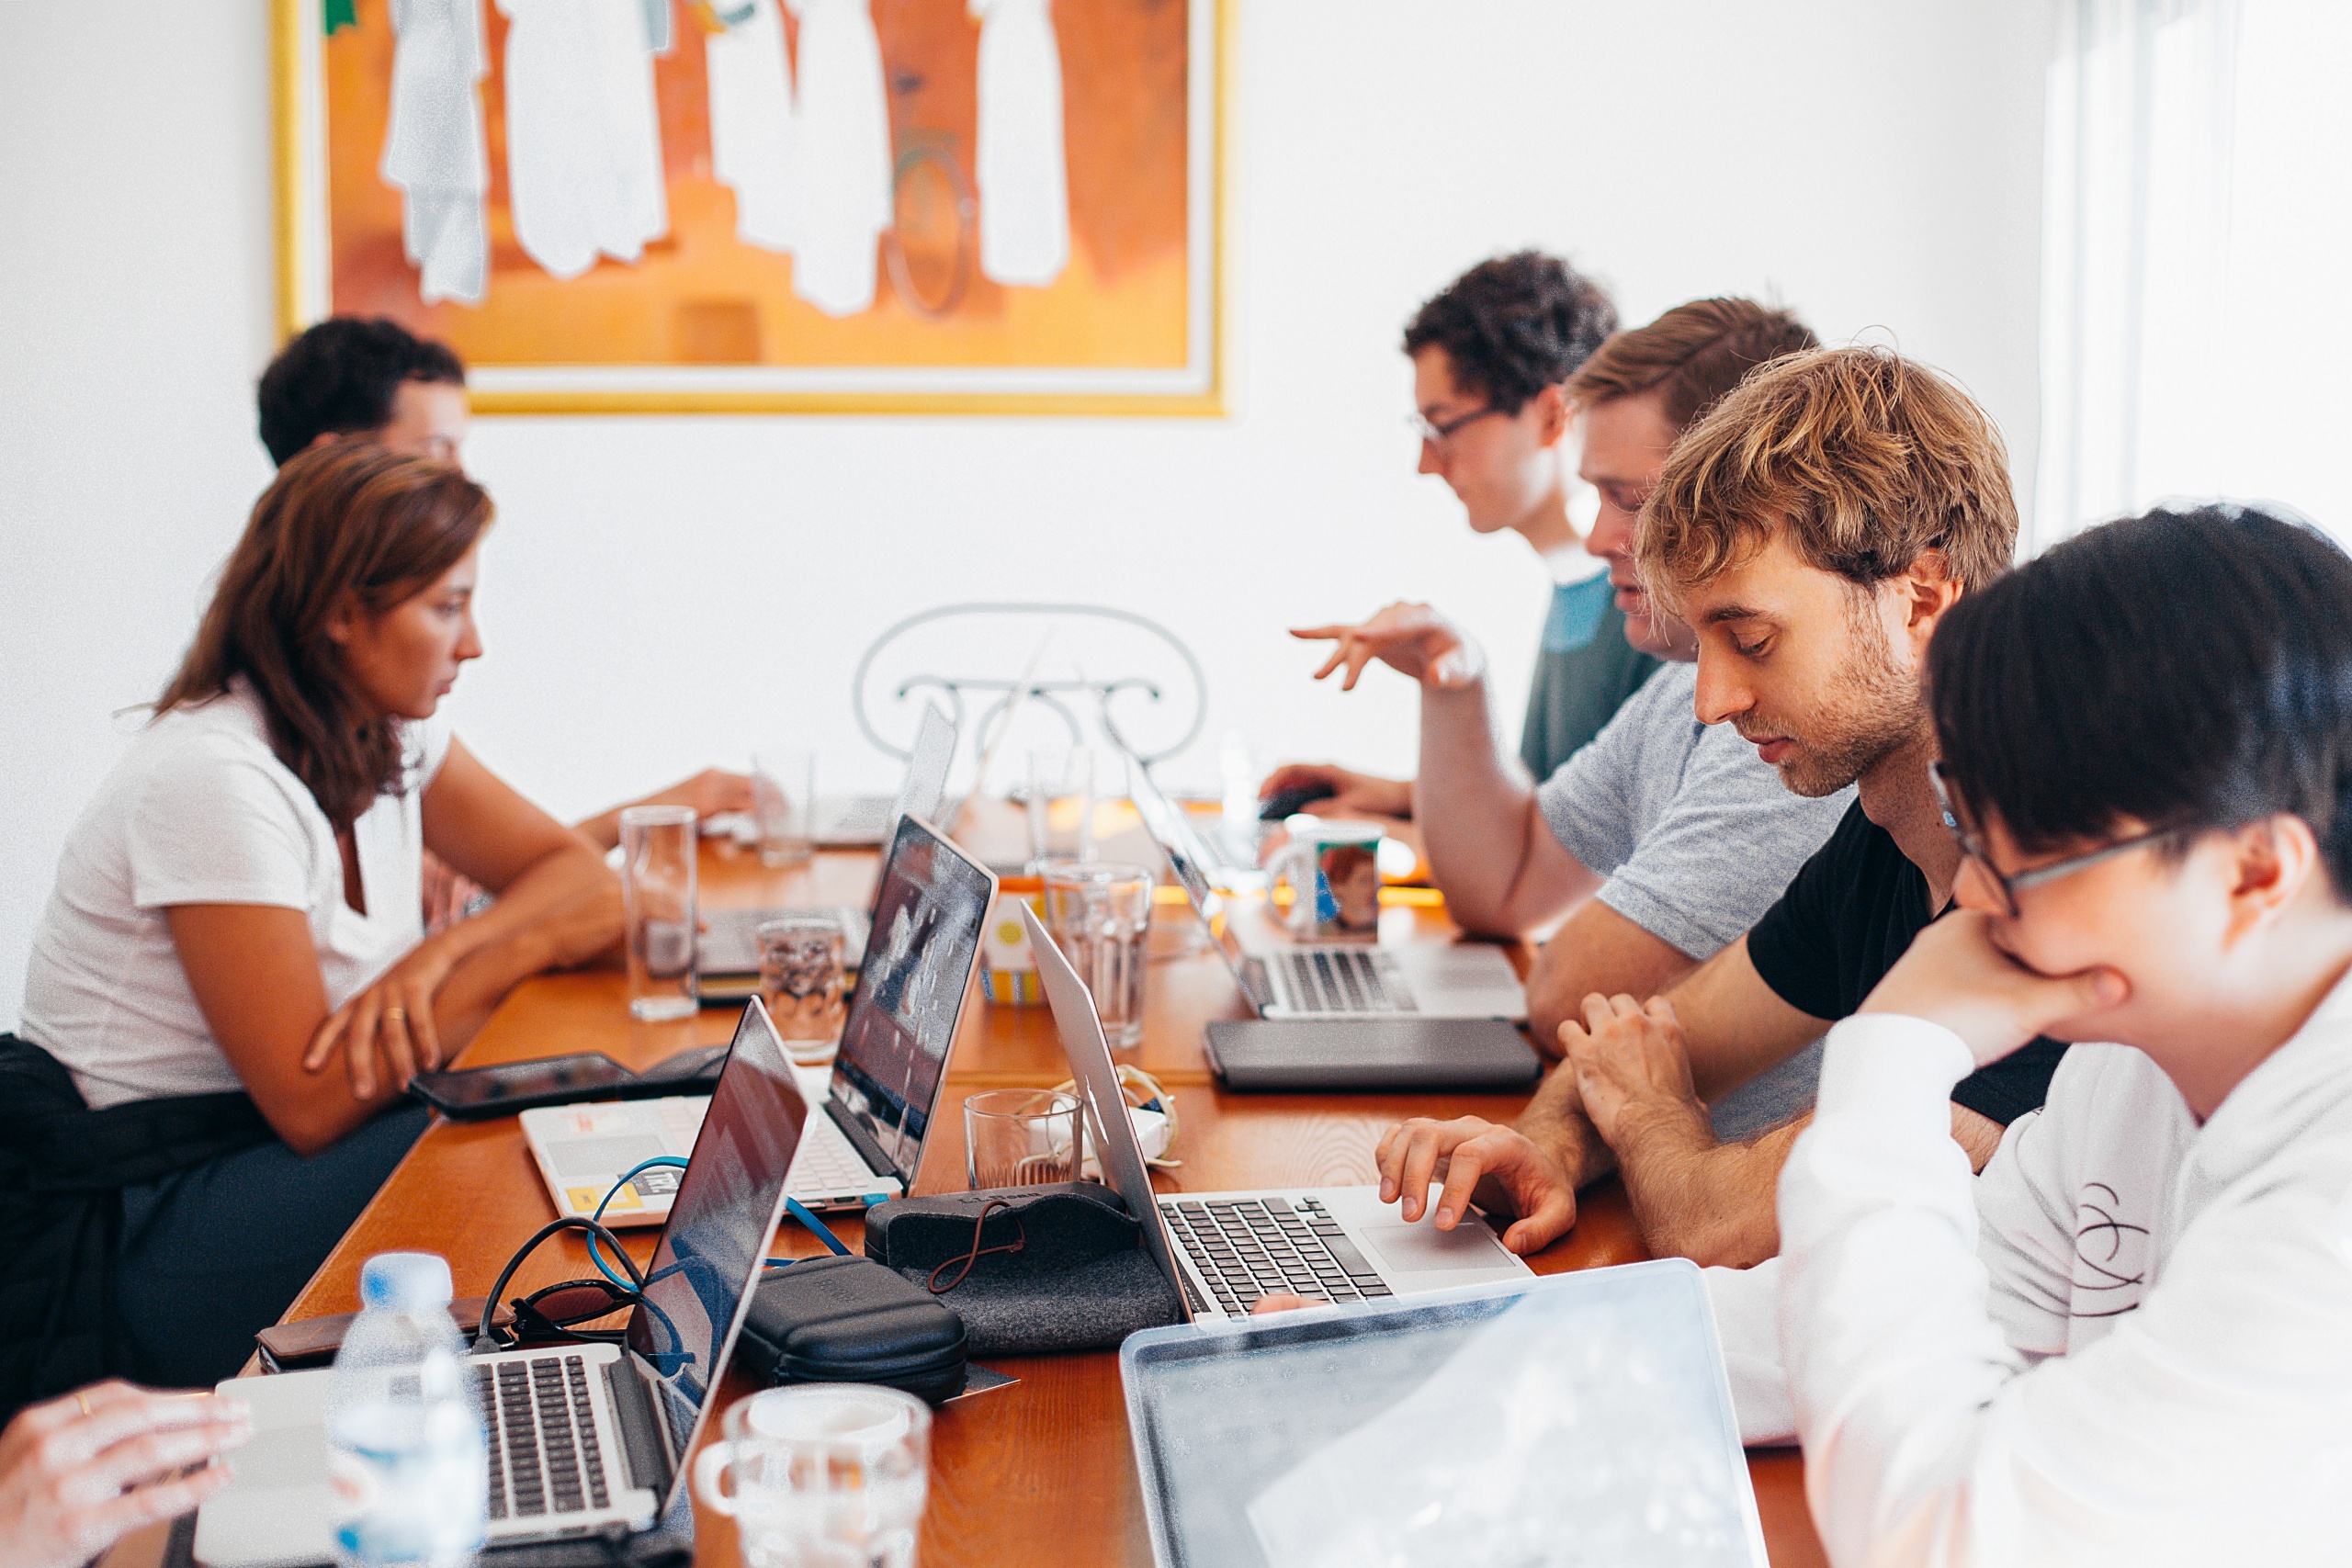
[{"x": 2130, "y": 1341}]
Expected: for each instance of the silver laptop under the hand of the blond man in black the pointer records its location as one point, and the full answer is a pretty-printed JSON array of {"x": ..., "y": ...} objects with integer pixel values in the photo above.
[{"x": 1227, "y": 1249}]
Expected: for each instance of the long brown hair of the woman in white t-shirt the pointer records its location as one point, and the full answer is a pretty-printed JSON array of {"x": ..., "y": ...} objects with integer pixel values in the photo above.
[{"x": 342, "y": 523}]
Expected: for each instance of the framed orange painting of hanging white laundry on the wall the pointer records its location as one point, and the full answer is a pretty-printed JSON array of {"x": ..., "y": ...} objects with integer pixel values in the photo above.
[{"x": 770, "y": 206}]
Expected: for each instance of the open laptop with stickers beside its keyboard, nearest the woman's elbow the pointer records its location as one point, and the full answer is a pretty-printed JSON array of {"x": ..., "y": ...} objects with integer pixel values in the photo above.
[{"x": 888, "y": 1076}]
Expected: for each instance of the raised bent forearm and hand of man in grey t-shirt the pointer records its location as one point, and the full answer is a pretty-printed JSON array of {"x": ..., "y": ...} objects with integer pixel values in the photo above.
[{"x": 1481, "y": 831}]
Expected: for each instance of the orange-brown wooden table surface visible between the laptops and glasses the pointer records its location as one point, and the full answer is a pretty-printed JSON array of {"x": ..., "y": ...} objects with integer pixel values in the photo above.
[{"x": 1043, "y": 1468}]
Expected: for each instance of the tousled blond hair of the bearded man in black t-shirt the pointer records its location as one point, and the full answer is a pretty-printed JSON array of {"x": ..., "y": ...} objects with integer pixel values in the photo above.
[{"x": 1862, "y": 457}]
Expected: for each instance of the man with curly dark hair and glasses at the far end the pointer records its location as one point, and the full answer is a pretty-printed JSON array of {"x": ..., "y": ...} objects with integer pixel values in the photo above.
[{"x": 1492, "y": 359}]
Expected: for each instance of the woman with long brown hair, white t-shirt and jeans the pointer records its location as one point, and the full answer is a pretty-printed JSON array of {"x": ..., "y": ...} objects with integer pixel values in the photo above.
[{"x": 239, "y": 909}]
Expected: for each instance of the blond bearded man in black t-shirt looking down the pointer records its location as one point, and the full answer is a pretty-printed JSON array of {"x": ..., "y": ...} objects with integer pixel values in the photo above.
[{"x": 1812, "y": 530}]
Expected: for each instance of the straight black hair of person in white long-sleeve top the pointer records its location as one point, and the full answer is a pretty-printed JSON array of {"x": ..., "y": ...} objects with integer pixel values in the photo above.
[{"x": 2186, "y": 669}]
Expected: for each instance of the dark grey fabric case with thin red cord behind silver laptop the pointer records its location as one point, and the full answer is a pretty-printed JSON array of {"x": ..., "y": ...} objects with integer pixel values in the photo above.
[{"x": 1050, "y": 1268}]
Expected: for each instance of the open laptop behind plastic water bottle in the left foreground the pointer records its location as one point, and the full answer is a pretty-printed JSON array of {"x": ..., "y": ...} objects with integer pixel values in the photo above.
[{"x": 582, "y": 1438}]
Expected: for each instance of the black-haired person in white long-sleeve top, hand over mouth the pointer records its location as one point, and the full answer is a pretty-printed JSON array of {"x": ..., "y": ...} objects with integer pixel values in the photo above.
[{"x": 2130, "y": 1341}]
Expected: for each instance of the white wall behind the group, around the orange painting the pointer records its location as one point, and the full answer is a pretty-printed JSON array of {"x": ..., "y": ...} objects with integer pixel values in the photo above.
[{"x": 1873, "y": 163}]
